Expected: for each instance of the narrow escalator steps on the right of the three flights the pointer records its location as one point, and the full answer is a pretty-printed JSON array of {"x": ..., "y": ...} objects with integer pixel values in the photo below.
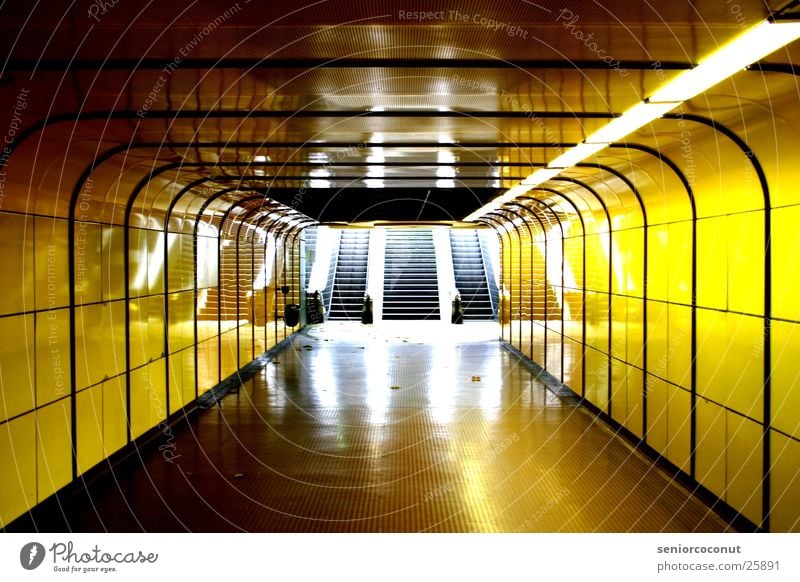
[{"x": 468, "y": 267}]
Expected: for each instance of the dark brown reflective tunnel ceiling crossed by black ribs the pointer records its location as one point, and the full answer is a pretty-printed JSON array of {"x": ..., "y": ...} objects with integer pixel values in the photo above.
[{"x": 354, "y": 111}]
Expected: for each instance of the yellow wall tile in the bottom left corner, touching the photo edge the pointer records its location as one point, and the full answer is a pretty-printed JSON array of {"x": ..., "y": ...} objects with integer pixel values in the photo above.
[{"x": 17, "y": 467}]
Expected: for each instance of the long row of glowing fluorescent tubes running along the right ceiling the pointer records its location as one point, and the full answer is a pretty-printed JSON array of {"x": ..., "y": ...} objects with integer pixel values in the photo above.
[{"x": 741, "y": 52}]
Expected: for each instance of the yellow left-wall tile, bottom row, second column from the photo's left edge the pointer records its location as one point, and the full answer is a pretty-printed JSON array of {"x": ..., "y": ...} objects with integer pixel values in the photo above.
[{"x": 54, "y": 448}]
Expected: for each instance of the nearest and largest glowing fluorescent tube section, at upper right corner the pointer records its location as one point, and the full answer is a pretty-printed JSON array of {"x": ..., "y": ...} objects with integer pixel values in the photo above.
[{"x": 744, "y": 50}]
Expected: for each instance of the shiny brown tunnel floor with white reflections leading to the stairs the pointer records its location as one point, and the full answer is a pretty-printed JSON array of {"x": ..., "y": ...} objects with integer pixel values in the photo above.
[{"x": 413, "y": 428}]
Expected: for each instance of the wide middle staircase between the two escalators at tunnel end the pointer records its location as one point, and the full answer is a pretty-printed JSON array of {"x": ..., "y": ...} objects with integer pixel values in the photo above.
[{"x": 410, "y": 284}]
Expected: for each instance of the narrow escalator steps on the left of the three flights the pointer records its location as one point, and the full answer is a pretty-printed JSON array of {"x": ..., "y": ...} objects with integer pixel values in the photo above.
[{"x": 350, "y": 280}]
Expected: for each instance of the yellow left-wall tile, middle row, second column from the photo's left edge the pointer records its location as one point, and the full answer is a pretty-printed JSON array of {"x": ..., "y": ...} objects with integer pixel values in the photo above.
[{"x": 52, "y": 355}]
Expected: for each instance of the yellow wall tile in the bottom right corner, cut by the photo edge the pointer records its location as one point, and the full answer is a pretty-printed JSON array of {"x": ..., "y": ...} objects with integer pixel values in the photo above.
[{"x": 785, "y": 484}]
